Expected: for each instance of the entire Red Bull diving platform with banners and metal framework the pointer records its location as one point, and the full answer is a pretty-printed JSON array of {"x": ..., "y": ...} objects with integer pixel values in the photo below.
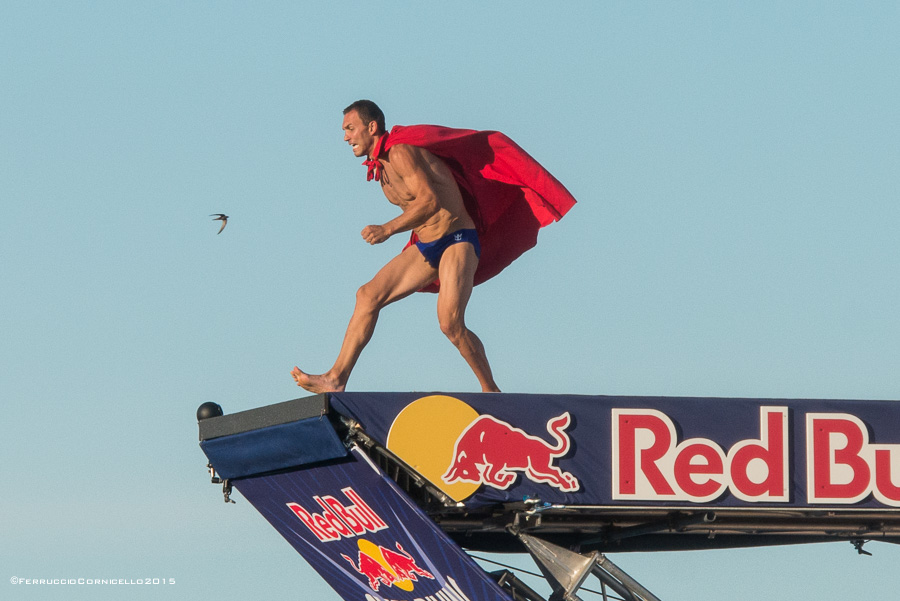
[{"x": 385, "y": 493}]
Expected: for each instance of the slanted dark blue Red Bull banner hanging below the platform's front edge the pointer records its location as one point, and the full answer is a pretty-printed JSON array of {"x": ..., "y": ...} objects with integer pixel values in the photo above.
[{"x": 364, "y": 536}]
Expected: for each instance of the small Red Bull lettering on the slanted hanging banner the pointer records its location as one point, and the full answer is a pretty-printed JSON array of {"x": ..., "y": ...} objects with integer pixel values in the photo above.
[{"x": 338, "y": 521}]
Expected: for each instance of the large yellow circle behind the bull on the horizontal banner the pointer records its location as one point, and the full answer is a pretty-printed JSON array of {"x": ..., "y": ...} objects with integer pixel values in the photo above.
[{"x": 424, "y": 434}]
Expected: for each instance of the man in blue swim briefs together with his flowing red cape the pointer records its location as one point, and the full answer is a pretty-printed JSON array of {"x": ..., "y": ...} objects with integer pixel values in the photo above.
[{"x": 436, "y": 176}]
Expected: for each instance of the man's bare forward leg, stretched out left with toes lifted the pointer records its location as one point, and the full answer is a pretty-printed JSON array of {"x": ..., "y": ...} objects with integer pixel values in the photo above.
[{"x": 404, "y": 274}]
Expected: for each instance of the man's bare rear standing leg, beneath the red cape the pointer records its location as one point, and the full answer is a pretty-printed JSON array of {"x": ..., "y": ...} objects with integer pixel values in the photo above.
[{"x": 457, "y": 274}]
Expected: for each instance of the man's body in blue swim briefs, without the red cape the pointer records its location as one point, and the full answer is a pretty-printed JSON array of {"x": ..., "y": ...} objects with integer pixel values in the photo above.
[{"x": 431, "y": 205}]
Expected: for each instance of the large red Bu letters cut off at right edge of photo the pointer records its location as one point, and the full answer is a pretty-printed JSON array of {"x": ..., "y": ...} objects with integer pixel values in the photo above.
[{"x": 843, "y": 467}]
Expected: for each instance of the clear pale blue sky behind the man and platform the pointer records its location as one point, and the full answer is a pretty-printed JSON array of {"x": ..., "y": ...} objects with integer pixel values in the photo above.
[{"x": 737, "y": 234}]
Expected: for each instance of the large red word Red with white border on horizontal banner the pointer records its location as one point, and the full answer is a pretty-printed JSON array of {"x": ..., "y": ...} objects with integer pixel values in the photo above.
[{"x": 648, "y": 465}]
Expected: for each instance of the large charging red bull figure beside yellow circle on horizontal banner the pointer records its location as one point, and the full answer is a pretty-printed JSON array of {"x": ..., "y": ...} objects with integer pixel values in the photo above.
[{"x": 491, "y": 451}]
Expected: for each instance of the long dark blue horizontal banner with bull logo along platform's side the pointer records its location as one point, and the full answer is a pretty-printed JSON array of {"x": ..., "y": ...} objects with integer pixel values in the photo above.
[{"x": 482, "y": 449}]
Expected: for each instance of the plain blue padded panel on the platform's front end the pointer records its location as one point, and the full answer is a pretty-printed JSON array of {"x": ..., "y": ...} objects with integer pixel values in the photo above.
[{"x": 274, "y": 448}]
